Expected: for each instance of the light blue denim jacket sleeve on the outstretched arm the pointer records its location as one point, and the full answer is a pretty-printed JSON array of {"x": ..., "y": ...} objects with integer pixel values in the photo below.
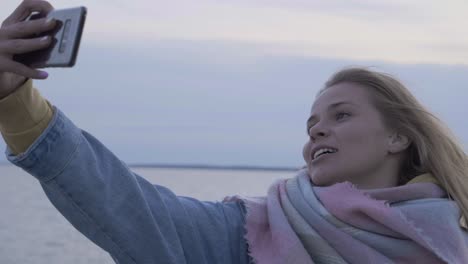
[{"x": 124, "y": 214}]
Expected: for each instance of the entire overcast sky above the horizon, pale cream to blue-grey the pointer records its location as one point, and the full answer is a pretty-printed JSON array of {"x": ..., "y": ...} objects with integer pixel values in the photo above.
[{"x": 232, "y": 82}]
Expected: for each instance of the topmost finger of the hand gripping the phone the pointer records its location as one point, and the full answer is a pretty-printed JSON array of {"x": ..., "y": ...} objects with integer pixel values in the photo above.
[{"x": 26, "y": 8}]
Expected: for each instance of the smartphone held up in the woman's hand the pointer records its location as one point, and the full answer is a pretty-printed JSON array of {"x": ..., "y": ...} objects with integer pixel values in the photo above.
[{"x": 66, "y": 37}]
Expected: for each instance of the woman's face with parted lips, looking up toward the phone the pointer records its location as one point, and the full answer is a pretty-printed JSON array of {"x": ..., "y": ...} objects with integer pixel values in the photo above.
[{"x": 350, "y": 133}]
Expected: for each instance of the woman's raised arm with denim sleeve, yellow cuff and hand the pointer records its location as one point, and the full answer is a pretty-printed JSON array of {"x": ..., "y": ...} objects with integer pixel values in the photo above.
[{"x": 132, "y": 219}]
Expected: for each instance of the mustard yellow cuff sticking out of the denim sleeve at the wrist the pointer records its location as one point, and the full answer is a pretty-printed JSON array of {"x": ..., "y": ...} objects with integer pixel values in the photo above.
[{"x": 24, "y": 115}]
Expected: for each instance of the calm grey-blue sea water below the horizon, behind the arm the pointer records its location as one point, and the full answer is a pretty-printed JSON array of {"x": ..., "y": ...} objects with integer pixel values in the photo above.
[{"x": 33, "y": 231}]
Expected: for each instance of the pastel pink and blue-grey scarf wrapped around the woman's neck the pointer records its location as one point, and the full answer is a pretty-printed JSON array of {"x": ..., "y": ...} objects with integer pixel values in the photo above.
[{"x": 301, "y": 223}]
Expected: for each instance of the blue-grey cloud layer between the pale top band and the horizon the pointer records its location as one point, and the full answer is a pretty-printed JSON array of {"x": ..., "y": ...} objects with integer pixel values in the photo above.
[{"x": 198, "y": 102}]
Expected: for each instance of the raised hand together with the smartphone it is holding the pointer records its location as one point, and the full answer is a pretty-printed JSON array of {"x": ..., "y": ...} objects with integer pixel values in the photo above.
[{"x": 28, "y": 40}]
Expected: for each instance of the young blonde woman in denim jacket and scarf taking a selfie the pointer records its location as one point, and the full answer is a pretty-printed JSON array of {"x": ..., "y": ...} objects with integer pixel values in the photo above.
[{"x": 385, "y": 182}]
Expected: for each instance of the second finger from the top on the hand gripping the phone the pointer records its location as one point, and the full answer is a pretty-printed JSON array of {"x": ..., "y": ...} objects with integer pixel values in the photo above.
[{"x": 27, "y": 28}]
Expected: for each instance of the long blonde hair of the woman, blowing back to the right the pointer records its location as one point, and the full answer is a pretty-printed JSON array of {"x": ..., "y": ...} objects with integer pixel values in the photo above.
[{"x": 433, "y": 149}]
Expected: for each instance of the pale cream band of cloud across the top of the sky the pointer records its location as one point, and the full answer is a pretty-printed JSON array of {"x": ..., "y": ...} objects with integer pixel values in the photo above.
[{"x": 394, "y": 31}]
